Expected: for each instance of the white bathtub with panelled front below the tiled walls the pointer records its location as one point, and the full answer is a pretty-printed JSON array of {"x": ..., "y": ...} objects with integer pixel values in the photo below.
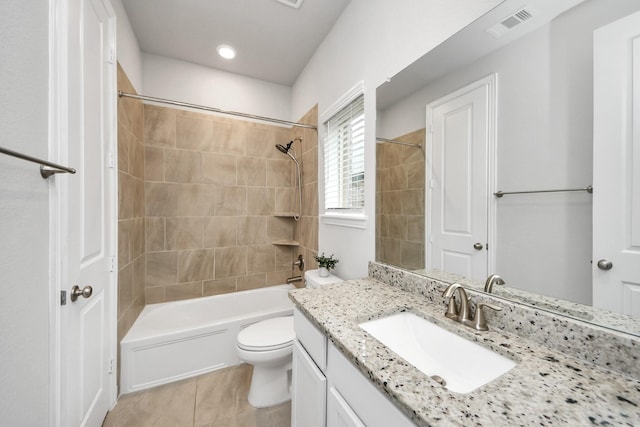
[{"x": 175, "y": 340}]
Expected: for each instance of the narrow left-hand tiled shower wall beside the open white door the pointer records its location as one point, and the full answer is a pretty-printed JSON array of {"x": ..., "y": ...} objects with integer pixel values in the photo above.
[{"x": 131, "y": 245}]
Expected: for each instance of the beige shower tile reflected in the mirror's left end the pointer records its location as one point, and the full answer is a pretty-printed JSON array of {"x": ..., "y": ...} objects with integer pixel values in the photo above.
[{"x": 400, "y": 202}]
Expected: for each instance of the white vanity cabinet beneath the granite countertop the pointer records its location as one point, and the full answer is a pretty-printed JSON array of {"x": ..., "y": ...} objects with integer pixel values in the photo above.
[{"x": 328, "y": 390}]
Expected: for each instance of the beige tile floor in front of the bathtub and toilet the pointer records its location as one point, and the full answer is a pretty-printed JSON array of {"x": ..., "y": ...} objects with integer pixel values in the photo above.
[{"x": 218, "y": 399}]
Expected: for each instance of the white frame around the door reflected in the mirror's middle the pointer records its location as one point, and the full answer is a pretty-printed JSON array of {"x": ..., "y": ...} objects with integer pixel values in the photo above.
[{"x": 491, "y": 82}]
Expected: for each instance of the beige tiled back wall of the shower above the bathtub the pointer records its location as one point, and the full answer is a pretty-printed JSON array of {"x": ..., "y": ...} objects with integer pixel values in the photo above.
[{"x": 212, "y": 186}]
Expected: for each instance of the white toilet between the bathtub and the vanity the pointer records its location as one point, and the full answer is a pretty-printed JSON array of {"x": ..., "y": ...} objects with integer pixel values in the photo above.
[{"x": 268, "y": 346}]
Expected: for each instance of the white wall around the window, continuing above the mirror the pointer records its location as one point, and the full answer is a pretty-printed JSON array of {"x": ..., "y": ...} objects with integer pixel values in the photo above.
[{"x": 372, "y": 40}]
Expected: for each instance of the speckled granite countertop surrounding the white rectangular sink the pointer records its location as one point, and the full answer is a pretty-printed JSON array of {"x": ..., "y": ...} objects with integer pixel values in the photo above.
[{"x": 545, "y": 388}]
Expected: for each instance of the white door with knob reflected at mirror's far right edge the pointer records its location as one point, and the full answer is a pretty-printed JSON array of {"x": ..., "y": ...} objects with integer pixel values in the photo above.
[{"x": 616, "y": 176}]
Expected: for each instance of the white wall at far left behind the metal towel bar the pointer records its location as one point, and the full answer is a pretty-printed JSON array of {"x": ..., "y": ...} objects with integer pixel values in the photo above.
[{"x": 24, "y": 305}]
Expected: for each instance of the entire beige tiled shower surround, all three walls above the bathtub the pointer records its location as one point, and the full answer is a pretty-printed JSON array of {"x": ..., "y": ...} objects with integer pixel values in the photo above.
[{"x": 216, "y": 195}]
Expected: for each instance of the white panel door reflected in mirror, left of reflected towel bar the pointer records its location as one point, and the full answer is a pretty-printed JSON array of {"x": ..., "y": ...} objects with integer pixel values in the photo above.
[{"x": 460, "y": 143}]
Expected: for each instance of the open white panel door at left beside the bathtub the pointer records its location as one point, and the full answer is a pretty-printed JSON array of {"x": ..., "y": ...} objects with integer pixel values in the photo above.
[{"x": 88, "y": 323}]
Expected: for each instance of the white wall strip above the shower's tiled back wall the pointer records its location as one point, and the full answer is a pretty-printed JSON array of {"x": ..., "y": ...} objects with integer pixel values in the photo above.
[{"x": 183, "y": 81}]
